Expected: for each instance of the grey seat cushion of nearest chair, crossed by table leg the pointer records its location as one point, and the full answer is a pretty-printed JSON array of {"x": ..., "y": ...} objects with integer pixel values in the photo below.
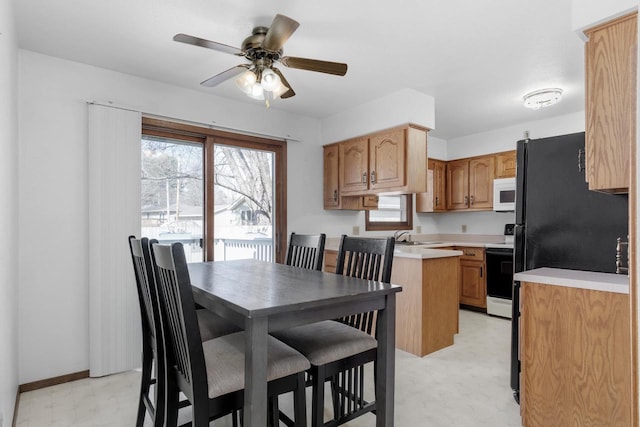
[{"x": 224, "y": 358}]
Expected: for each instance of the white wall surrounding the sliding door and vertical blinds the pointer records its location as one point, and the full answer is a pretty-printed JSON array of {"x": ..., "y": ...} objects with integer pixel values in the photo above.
[{"x": 53, "y": 263}]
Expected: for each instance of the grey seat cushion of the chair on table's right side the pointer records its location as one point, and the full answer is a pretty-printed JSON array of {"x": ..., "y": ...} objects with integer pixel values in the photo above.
[{"x": 327, "y": 341}]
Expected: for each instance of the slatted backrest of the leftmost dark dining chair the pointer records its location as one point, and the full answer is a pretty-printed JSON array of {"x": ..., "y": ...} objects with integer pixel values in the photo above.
[{"x": 145, "y": 283}]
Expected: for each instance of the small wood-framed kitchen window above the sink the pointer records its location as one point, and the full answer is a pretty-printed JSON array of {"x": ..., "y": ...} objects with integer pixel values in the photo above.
[{"x": 393, "y": 213}]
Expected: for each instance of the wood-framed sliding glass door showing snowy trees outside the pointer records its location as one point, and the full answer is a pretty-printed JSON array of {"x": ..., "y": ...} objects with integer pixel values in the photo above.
[{"x": 222, "y": 195}]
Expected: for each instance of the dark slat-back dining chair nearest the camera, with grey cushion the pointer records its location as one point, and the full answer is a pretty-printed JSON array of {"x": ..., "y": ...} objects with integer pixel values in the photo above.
[{"x": 211, "y": 373}]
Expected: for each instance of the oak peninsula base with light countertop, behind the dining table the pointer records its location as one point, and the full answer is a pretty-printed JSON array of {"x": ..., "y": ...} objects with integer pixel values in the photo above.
[{"x": 427, "y": 308}]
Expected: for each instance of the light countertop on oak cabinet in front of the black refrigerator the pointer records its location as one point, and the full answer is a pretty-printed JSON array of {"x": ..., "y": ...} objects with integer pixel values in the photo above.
[{"x": 607, "y": 282}]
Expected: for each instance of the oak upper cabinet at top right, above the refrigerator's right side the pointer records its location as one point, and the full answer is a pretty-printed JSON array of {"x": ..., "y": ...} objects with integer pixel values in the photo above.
[{"x": 611, "y": 61}]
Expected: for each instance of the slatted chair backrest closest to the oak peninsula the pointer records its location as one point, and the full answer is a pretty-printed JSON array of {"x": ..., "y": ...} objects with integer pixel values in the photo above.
[{"x": 365, "y": 258}]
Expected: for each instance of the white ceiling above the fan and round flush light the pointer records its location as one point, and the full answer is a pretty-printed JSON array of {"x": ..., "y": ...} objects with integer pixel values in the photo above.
[{"x": 476, "y": 58}]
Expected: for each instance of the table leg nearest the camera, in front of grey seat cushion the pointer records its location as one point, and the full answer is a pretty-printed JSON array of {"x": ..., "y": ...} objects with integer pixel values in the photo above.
[{"x": 255, "y": 375}]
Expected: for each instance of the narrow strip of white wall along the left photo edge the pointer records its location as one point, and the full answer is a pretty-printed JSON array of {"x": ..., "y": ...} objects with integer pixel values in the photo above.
[{"x": 8, "y": 213}]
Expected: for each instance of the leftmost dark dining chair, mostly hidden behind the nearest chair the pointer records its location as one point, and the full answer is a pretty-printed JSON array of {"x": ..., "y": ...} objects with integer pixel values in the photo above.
[{"x": 210, "y": 325}]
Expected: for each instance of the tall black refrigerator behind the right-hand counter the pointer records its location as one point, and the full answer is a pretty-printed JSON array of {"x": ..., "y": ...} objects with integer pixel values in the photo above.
[{"x": 559, "y": 222}]
